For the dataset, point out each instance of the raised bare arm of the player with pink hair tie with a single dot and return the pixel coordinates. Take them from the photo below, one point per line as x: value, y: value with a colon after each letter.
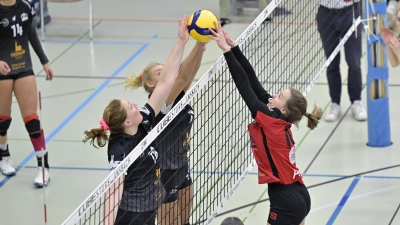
x: 170, y: 69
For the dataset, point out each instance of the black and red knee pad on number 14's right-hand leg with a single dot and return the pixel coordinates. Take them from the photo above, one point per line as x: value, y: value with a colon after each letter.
x: 32, y: 125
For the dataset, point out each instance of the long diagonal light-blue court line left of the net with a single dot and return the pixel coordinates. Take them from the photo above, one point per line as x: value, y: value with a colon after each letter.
x: 77, y: 110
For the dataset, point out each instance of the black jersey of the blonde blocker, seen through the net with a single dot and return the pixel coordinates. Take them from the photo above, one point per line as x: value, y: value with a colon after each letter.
x: 173, y: 141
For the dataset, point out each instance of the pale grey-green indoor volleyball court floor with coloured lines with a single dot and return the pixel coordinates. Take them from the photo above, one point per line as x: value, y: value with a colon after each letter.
x: 128, y: 35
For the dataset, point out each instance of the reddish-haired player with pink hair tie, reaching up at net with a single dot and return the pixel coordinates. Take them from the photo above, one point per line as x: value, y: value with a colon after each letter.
x: 138, y: 194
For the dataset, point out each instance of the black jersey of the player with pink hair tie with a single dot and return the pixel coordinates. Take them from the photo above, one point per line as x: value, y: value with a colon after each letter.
x: 143, y: 191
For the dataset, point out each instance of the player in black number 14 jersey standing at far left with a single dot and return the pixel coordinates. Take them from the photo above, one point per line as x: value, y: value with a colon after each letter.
x: 17, y: 30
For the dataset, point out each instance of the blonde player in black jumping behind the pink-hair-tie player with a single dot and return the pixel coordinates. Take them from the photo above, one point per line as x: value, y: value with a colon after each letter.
x: 173, y: 142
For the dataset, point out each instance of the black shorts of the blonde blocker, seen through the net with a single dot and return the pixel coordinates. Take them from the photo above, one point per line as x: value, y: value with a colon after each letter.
x: 175, y: 180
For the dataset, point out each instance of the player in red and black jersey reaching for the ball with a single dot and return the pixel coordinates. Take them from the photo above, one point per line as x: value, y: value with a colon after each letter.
x: 270, y: 135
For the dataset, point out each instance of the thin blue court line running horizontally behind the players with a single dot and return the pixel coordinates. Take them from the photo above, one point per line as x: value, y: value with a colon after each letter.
x: 206, y: 172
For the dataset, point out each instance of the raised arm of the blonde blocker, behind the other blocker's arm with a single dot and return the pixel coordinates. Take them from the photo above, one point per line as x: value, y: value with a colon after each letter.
x: 187, y: 72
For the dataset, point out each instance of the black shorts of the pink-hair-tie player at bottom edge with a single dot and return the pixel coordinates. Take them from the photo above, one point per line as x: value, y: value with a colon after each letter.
x: 135, y: 218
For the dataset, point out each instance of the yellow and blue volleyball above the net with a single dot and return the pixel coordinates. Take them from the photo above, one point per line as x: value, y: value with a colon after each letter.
x: 198, y: 25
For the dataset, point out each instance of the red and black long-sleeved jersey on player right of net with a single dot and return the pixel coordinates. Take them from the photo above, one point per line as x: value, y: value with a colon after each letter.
x: 271, y: 138
